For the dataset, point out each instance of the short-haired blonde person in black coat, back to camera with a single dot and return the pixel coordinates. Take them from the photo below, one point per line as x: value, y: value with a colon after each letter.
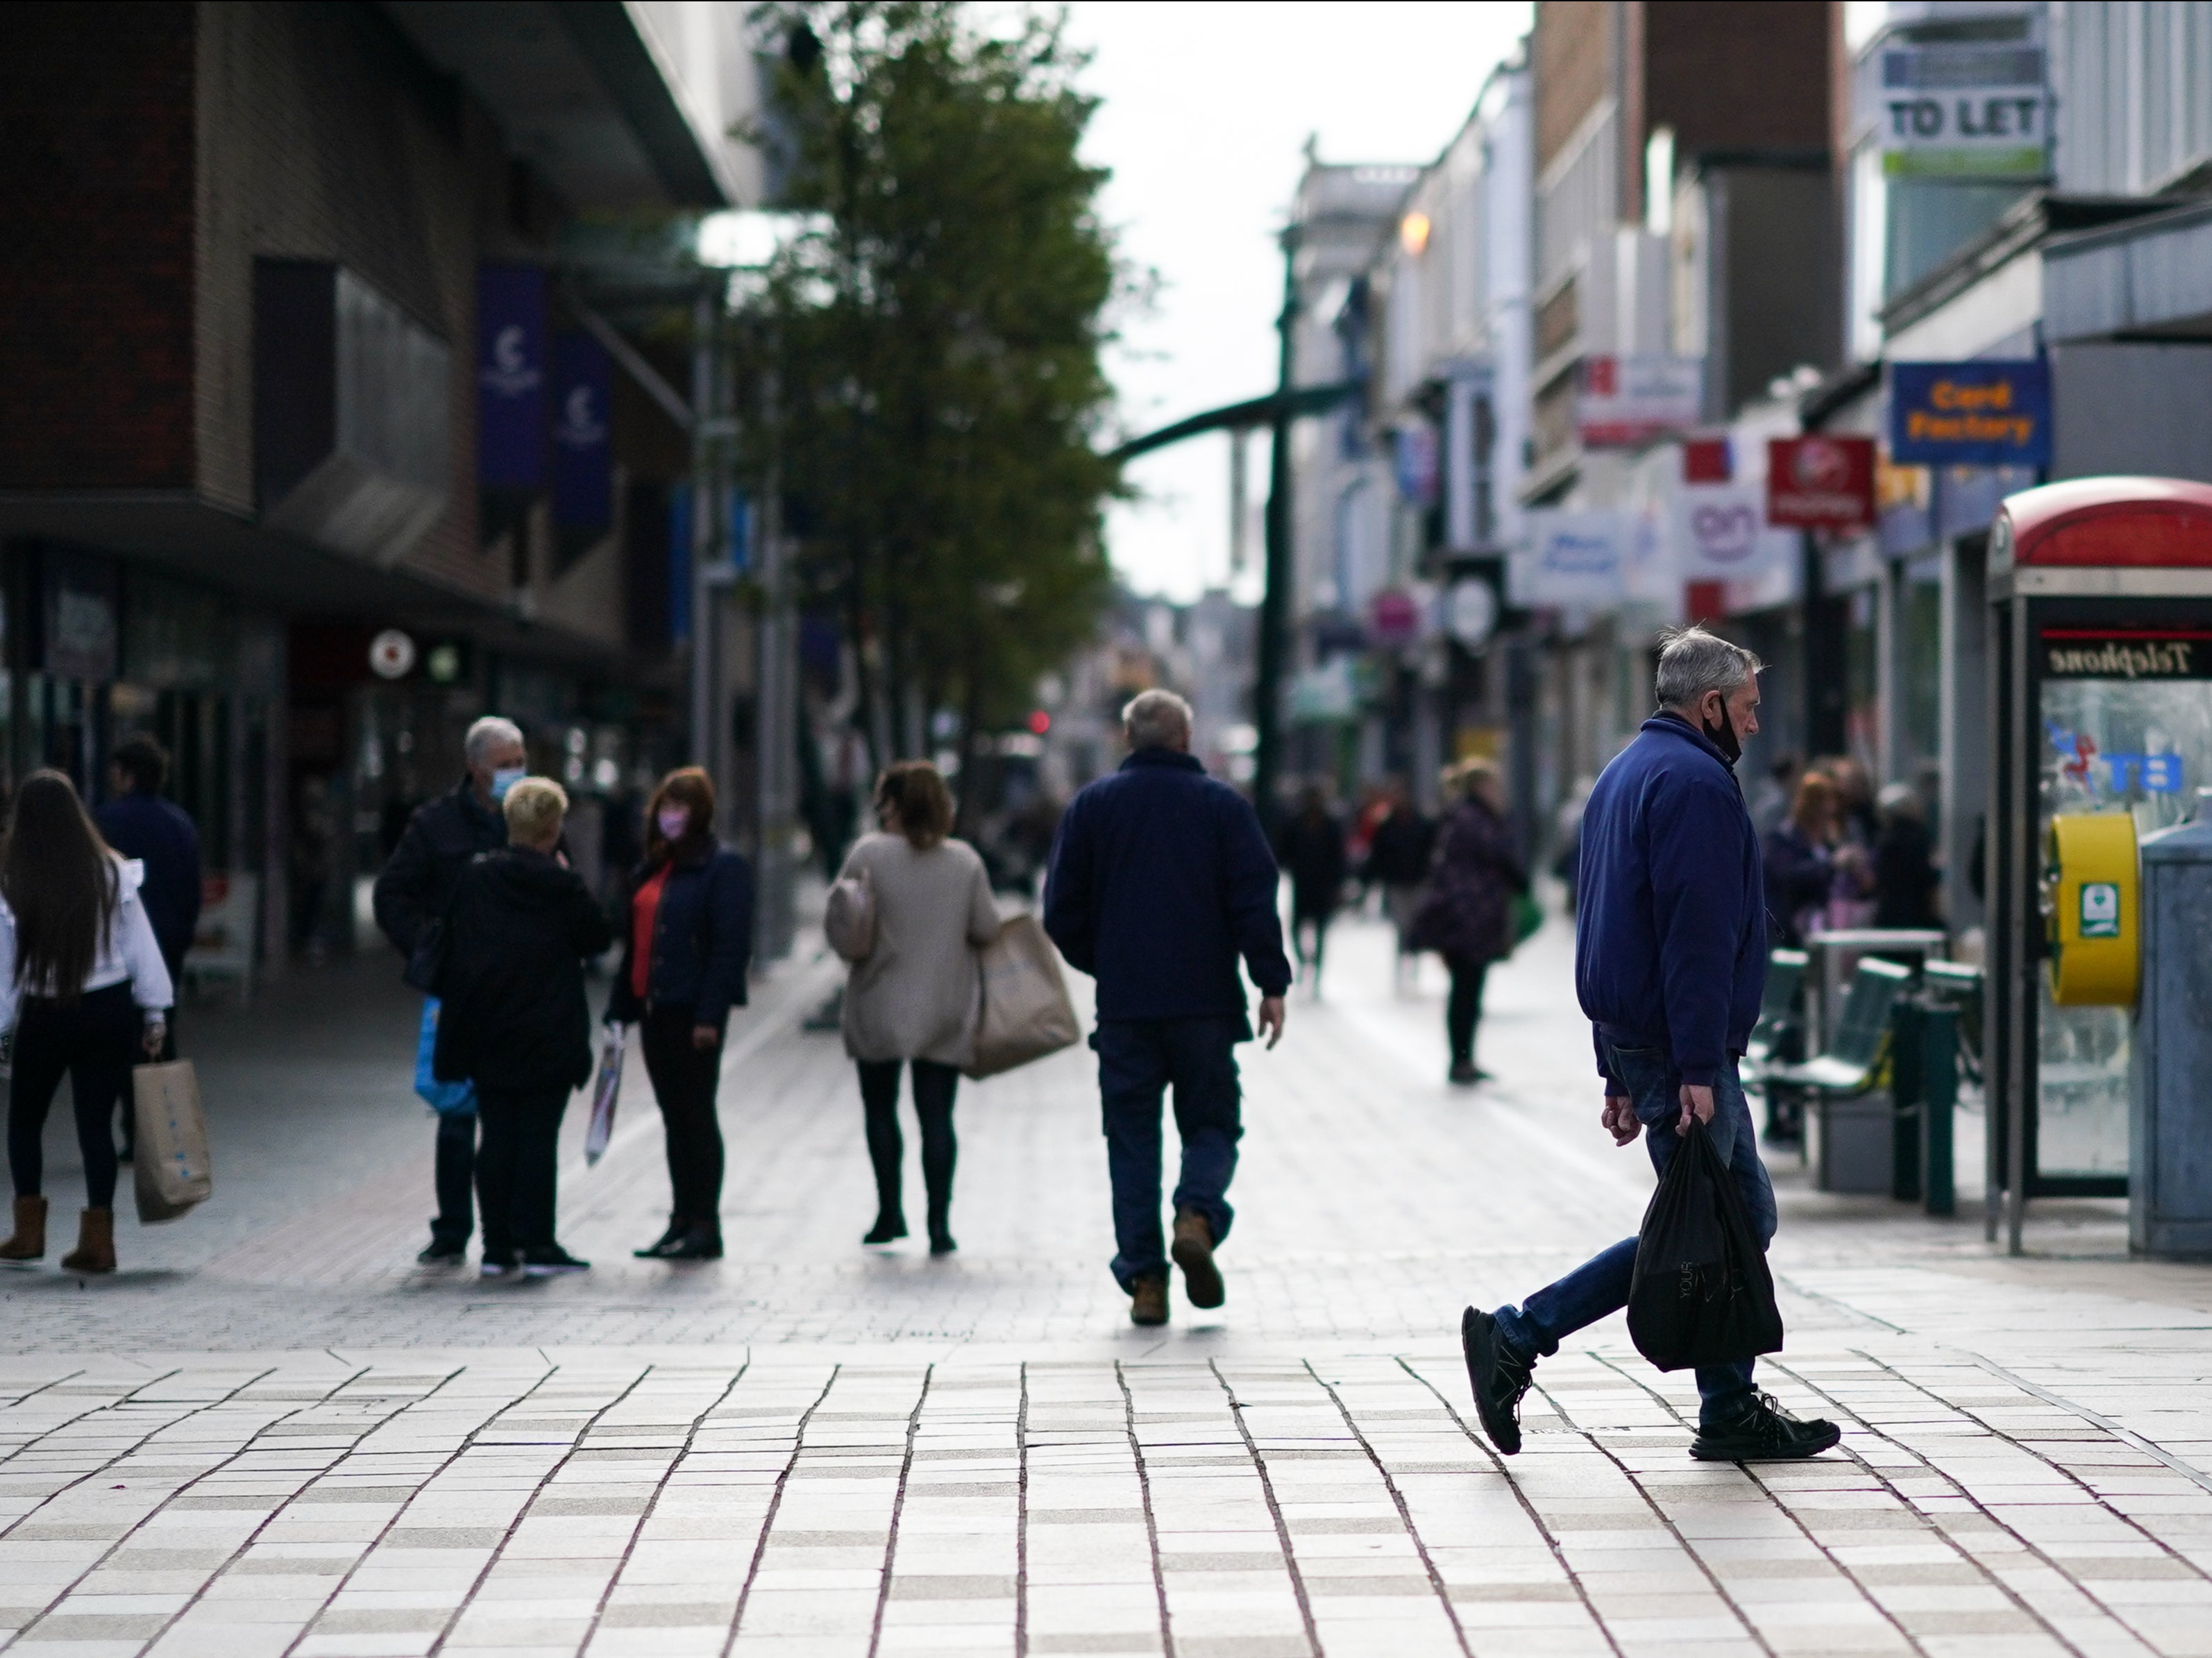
x: 517, y: 1025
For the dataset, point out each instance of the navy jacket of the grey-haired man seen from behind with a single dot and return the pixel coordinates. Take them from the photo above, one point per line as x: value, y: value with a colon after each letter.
x: 1160, y: 881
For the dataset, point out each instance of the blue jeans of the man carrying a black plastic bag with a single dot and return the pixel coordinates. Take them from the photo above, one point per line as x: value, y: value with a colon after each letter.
x: 1600, y: 1286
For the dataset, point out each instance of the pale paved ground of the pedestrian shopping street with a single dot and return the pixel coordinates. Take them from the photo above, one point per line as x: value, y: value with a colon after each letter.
x: 271, y: 1434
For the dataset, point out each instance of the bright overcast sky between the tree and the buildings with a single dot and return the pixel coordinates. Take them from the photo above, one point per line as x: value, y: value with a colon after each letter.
x: 1207, y: 112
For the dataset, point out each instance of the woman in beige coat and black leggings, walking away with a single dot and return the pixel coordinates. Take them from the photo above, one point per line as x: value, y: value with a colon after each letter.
x: 917, y: 994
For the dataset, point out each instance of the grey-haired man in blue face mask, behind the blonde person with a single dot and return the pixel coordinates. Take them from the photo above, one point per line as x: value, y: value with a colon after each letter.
x: 410, y: 894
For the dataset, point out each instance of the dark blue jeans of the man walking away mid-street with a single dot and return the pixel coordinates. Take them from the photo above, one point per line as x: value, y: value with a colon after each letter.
x: 1138, y: 1062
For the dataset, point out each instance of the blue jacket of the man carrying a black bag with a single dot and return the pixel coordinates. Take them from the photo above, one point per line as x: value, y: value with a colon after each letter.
x: 1671, y: 923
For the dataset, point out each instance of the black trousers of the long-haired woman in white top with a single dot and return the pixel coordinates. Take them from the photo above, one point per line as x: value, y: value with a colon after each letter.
x: 94, y: 1042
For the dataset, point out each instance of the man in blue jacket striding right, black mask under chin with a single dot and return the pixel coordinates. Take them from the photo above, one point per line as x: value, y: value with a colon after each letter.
x: 1671, y: 956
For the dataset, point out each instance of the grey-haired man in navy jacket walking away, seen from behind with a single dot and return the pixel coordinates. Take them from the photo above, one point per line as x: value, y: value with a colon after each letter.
x: 1158, y: 883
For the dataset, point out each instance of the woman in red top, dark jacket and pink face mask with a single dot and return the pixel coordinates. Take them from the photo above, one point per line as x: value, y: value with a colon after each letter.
x: 687, y: 943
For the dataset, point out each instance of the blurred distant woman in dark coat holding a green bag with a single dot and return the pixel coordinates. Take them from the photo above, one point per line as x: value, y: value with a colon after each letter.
x: 1468, y: 914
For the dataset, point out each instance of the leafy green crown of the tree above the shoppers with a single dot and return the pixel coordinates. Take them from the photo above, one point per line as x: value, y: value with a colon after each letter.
x: 928, y: 350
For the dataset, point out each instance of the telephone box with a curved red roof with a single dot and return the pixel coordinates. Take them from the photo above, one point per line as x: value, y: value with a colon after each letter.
x: 2100, y: 686
